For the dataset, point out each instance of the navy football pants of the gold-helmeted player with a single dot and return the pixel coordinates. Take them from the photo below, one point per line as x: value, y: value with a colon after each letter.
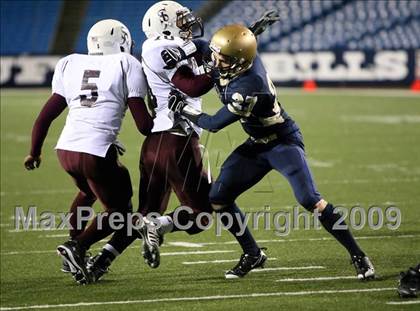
x: 250, y: 162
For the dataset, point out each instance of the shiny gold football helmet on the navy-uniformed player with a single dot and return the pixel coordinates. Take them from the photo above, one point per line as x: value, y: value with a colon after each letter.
x: 234, y: 48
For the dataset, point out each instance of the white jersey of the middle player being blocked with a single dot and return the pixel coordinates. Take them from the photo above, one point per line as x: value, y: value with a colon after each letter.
x: 159, y: 81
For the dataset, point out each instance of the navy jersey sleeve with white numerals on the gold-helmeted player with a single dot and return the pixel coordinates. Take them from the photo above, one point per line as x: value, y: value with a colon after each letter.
x: 243, y: 97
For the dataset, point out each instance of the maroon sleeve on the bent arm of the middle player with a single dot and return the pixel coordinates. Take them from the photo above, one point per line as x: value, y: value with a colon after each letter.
x: 193, y: 85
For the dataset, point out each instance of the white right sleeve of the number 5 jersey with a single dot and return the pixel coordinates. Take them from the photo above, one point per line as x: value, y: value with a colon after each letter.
x: 136, y: 81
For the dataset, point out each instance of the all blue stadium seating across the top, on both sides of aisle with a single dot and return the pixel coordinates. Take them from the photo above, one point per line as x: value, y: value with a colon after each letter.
x: 305, y: 25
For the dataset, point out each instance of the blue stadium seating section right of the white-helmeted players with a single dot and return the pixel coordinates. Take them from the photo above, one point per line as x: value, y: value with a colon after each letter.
x: 329, y: 24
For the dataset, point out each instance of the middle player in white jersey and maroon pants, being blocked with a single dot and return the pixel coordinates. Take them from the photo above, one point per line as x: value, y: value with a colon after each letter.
x: 170, y: 156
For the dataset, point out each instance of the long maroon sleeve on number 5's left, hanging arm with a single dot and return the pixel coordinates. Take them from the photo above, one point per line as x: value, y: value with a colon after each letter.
x: 51, y: 110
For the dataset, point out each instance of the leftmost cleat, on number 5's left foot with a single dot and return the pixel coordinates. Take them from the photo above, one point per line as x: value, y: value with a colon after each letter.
x: 74, y: 255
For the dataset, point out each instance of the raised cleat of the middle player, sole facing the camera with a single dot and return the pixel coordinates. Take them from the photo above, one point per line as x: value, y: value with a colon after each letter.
x: 151, y: 242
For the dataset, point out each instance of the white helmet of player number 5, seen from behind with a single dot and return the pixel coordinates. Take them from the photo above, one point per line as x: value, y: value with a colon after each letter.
x: 109, y: 36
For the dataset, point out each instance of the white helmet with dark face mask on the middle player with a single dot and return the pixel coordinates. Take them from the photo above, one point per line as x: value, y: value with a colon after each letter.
x: 169, y: 18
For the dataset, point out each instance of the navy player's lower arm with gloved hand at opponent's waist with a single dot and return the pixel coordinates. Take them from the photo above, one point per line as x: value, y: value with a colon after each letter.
x: 212, y: 123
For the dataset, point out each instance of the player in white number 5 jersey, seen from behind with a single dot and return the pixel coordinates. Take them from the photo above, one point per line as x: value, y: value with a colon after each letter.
x: 97, y: 89
